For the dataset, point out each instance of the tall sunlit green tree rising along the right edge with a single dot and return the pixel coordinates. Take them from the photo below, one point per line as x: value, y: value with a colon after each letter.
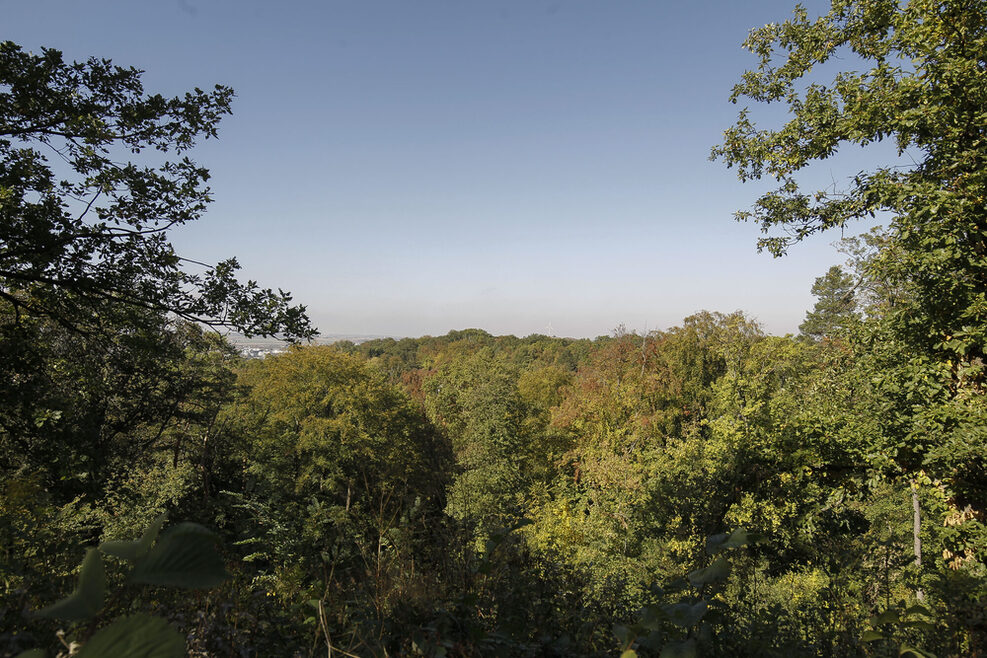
x: 914, y: 72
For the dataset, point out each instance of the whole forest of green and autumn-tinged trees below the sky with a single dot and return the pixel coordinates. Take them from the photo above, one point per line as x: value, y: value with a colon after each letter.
x: 705, y: 490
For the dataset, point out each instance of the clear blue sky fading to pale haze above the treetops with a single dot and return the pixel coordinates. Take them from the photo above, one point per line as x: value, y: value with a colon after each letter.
x: 408, y: 167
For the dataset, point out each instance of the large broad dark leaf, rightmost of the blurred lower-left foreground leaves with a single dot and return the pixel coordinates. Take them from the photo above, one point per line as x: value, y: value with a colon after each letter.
x: 185, y: 556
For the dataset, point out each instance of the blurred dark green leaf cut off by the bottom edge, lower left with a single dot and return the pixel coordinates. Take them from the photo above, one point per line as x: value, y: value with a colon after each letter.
x: 138, y: 636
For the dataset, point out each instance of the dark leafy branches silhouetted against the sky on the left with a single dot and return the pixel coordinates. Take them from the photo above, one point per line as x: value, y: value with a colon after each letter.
x: 86, y: 203
